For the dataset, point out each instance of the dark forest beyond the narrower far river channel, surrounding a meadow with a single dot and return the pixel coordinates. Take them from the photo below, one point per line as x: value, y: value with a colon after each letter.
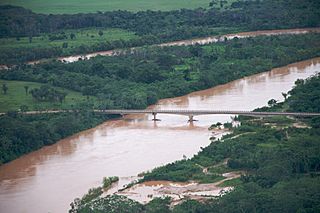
x: 150, y: 27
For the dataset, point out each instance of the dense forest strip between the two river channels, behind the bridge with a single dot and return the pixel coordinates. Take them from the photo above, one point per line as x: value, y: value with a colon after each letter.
x: 140, y: 79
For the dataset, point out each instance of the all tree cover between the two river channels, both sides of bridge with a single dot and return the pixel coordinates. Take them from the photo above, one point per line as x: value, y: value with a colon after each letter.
x: 138, y: 80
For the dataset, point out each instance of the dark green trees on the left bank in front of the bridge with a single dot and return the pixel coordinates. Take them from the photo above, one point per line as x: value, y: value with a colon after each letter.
x: 21, y: 134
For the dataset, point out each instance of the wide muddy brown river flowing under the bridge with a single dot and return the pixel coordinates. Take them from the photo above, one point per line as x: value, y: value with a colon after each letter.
x: 47, y: 180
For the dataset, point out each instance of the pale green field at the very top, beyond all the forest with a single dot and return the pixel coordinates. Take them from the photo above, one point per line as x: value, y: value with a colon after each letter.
x: 85, y: 6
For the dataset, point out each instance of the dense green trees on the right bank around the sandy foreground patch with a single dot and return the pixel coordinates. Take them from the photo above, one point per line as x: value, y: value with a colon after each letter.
x: 281, y: 164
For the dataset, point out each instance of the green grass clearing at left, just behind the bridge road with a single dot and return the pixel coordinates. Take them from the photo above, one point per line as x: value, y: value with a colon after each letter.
x: 16, y: 97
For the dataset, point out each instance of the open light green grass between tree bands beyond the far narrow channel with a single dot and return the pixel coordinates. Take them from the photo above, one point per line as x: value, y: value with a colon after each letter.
x: 86, y: 37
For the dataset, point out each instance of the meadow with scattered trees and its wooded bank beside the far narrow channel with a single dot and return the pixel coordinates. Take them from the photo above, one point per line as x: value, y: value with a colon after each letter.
x: 66, y: 42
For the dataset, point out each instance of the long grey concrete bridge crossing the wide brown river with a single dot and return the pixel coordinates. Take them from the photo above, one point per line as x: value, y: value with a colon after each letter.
x: 189, y: 113
